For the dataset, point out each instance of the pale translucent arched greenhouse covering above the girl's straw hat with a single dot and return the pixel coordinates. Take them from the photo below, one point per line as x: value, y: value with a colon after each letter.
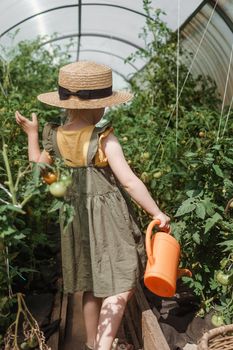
x: 108, y: 29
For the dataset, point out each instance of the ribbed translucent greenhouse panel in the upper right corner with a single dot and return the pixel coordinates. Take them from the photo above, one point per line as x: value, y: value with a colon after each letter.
x: 209, y: 37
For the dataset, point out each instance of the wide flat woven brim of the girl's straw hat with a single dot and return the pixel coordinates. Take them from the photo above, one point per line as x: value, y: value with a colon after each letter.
x: 117, y: 97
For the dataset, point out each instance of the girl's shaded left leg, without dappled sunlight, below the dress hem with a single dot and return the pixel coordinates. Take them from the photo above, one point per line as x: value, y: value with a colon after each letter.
x: 91, y: 311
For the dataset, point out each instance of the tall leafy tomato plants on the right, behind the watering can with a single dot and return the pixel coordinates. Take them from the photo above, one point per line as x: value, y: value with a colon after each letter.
x: 189, y: 168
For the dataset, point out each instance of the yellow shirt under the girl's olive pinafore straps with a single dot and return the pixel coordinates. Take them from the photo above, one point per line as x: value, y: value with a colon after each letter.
x: 73, y: 146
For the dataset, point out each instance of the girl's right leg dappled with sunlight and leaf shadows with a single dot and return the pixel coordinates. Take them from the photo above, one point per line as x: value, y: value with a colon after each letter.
x: 111, y: 314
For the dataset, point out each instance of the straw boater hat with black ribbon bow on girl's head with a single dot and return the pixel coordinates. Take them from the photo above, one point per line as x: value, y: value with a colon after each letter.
x: 85, y: 84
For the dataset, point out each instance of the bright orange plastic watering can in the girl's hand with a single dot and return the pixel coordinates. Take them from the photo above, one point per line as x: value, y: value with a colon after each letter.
x: 163, y: 252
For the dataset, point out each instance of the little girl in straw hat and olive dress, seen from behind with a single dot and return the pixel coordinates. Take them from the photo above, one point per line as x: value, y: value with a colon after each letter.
x: 102, y: 252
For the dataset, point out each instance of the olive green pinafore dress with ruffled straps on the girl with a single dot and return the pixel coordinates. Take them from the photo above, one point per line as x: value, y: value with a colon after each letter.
x: 103, y: 248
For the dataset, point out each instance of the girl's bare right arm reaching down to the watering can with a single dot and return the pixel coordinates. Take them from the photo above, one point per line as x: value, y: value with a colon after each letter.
x: 133, y: 185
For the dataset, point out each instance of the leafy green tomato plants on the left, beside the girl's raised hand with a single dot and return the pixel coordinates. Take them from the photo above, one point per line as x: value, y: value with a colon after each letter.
x: 23, y: 220
